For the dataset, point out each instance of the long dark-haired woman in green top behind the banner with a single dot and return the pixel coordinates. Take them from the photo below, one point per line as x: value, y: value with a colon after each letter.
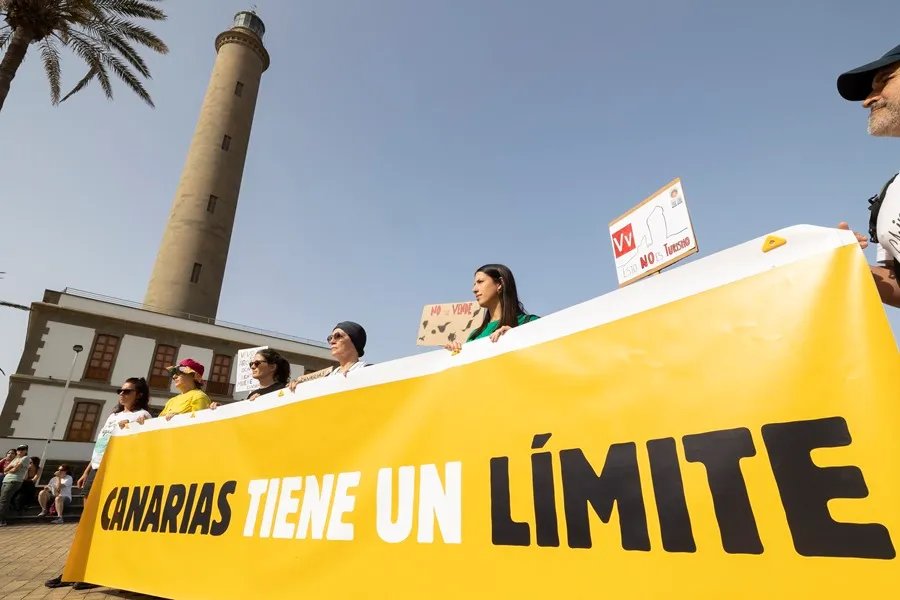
x: 495, y: 291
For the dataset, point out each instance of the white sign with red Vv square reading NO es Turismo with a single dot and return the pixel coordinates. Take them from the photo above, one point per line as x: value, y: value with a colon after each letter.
x: 654, y: 234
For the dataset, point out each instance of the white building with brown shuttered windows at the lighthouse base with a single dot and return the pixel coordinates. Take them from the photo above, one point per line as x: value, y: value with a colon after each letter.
x: 120, y: 339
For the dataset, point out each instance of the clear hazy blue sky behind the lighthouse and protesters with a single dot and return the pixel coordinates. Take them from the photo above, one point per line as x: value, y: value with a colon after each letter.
x: 399, y: 144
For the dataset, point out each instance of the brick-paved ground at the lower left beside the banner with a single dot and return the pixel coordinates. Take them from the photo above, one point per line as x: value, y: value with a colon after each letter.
x: 31, y: 554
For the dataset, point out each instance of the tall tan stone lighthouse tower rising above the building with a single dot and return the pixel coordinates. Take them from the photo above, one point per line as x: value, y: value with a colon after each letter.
x: 187, y: 276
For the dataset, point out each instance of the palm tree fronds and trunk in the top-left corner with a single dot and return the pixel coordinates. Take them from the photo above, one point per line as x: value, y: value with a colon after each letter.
x: 100, y: 32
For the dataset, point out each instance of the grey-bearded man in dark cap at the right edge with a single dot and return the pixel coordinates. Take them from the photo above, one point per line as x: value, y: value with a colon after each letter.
x: 877, y: 86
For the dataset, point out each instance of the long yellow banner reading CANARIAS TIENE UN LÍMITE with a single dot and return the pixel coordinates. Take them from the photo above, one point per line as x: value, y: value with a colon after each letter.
x: 737, y: 442
